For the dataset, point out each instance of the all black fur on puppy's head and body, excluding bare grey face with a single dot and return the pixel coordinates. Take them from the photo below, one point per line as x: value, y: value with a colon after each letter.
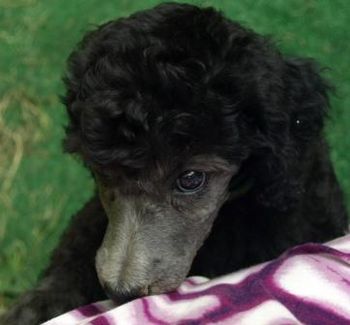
x: 177, y: 81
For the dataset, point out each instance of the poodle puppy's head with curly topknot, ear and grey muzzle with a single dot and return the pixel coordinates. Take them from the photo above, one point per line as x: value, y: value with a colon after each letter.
x: 167, y: 108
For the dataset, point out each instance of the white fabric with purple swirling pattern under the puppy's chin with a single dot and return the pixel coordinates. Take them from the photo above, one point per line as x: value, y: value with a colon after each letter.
x: 309, y: 284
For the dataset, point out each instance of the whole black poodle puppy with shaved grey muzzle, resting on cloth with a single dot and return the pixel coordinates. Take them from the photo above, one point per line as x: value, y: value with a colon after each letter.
x: 207, y: 148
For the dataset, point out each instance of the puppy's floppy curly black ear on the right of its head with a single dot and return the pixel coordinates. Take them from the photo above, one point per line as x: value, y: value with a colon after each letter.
x: 293, y: 132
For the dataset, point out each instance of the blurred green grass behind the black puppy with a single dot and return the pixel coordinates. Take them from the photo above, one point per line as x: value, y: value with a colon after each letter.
x: 40, y: 187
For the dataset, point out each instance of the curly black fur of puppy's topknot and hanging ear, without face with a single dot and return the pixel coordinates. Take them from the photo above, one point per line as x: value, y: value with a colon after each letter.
x: 163, y: 78
